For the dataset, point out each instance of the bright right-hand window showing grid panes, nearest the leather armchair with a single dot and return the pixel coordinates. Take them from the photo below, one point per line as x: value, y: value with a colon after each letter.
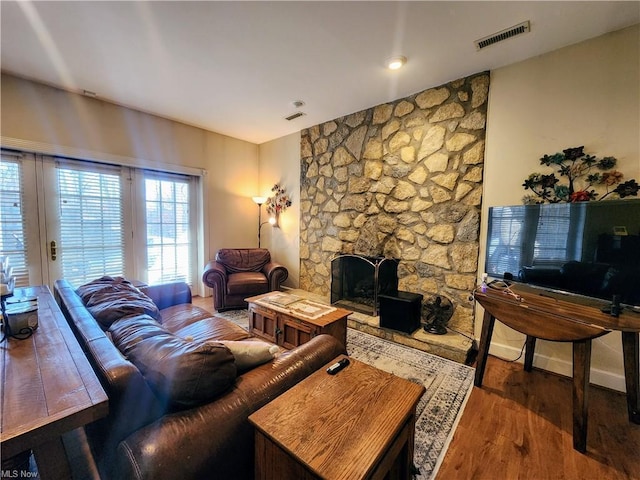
x: 168, y: 218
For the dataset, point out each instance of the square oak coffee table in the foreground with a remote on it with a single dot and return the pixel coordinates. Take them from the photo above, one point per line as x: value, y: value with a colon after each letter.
x: 356, y: 424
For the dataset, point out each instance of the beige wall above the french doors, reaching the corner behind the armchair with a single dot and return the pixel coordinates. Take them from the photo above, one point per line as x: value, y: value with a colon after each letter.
x: 48, y: 120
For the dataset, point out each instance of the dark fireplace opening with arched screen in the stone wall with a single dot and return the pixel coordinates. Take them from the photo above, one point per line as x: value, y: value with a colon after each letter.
x: 357, y: 281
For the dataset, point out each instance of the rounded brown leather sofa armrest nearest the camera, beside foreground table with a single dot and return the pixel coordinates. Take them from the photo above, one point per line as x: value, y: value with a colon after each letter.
x: 217, y: 437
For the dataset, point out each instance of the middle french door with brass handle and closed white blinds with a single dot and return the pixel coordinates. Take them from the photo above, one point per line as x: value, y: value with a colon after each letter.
x: 85, y: 221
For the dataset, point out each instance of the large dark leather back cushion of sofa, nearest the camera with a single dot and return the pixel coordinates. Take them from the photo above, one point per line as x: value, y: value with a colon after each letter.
x: 183, y: 373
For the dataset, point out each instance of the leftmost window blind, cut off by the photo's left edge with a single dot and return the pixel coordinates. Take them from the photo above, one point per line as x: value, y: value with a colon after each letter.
x: 13, y: 241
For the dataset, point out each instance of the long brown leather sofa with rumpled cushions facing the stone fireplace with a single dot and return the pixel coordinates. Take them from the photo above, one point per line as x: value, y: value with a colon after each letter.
x: 145, y: 436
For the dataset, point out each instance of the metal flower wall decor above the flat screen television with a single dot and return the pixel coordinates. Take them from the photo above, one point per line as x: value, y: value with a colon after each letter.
x: 583, y: 173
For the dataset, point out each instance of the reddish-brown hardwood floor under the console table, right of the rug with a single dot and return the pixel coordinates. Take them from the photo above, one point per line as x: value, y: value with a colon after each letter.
x: 519, y: 426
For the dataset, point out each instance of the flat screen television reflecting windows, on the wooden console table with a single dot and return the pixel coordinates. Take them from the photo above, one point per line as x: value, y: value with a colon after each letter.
x: 590, y: 249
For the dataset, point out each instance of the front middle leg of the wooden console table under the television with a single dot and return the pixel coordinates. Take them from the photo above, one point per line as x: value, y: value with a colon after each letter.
x: 581, y: 367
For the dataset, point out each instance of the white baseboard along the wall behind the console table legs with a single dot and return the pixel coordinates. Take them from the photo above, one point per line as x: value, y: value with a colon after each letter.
x: 603, y: 378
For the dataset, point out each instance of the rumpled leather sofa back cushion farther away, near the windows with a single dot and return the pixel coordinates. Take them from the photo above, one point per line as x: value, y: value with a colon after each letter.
x: 109, y: 299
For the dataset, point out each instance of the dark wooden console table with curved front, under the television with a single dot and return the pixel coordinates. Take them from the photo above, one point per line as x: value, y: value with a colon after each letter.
x: 557, y: 318
